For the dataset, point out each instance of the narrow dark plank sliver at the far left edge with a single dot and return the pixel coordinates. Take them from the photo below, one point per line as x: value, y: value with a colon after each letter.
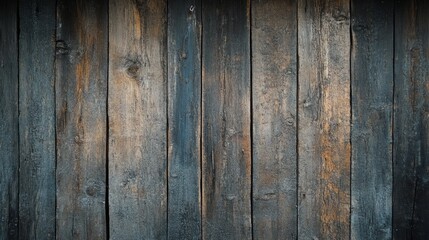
x: 9, y: 131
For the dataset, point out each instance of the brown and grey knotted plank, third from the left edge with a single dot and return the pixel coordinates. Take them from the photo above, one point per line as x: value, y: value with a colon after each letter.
x: 81, y: 88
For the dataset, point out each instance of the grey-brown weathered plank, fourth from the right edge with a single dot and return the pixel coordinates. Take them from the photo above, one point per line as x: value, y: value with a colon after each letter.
x: 274, y: 73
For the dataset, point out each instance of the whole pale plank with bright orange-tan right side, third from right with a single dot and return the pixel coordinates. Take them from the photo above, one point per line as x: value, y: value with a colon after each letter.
x: 324, y: 119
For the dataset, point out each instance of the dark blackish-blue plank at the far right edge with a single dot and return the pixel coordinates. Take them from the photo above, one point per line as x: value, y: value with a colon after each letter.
x: 411, y: 121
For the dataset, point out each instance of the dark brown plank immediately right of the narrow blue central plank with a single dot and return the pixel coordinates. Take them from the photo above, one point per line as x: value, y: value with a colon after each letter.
x: 226, y: 172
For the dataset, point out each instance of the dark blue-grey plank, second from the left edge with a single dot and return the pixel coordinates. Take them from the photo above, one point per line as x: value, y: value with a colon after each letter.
x: 37, y: 119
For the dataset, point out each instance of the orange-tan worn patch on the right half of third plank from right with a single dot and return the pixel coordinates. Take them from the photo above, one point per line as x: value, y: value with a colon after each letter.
x: 335, y: 169
